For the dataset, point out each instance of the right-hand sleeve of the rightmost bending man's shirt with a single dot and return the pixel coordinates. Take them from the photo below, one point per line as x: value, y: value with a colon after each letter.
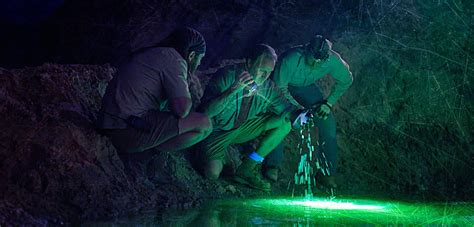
x: 342, y: 76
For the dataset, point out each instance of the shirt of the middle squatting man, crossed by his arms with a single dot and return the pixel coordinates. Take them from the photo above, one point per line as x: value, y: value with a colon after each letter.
x: 267, y: 98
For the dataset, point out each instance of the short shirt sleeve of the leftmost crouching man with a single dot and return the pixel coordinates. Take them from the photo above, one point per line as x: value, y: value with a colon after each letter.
x: 175, y: 80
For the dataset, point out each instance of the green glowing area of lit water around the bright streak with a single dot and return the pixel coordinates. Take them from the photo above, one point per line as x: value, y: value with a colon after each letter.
x: 353, y: 211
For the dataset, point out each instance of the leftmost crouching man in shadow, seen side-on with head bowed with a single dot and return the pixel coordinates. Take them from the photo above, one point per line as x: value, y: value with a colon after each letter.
x: 147, y: 104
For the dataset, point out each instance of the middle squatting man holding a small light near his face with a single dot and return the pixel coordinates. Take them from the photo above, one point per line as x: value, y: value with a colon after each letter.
x: 243, y: 105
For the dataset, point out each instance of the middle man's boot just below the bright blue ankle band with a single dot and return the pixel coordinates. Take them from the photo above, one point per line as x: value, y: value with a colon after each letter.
x: 249, y: 174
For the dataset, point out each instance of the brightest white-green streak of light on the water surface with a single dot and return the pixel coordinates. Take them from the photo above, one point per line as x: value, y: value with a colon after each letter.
x: 335, y: 205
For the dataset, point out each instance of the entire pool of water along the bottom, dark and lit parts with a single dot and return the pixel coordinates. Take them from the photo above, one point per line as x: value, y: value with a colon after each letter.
x: 301, y: 212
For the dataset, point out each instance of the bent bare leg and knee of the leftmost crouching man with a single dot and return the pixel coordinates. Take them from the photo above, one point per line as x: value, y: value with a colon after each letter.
x: 192, y: 129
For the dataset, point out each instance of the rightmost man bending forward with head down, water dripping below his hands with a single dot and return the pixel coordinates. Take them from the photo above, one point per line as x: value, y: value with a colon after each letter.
x: 296, y: 74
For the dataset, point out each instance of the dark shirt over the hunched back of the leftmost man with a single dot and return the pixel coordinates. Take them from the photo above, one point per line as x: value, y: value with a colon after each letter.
x: 145, y: 82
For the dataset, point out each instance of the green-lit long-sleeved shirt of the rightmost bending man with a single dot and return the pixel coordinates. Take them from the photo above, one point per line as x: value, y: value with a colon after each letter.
x: 292, y: 70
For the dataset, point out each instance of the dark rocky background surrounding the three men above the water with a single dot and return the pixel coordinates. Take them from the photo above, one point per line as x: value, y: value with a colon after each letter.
x: 405, y: 127
